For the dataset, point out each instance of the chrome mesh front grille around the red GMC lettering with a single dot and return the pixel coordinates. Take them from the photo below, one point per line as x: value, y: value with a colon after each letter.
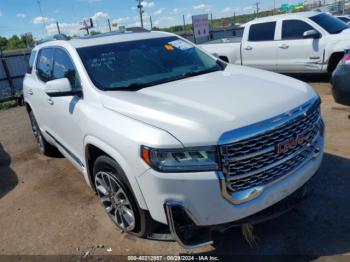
x: 255, y: 161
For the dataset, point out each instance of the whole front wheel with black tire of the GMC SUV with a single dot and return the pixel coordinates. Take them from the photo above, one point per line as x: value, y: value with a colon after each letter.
x: 118, y: 199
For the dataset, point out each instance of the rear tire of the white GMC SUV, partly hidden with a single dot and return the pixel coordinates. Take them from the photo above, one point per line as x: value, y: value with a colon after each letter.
x: 45, y: 147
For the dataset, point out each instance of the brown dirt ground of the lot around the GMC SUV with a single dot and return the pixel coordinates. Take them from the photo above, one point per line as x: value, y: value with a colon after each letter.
x: 47, y: 208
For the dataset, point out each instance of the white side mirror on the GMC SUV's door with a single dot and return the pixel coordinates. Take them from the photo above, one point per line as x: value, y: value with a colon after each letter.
x: 60, y: 87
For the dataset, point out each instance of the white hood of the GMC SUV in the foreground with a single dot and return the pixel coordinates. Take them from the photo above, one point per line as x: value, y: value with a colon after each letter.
x: 198, y: 110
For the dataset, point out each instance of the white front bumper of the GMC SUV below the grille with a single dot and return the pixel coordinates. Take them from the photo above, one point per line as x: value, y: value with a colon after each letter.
x: 201, y: 196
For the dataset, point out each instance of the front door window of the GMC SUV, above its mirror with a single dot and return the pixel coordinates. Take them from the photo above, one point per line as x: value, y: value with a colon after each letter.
x: 64, y: 68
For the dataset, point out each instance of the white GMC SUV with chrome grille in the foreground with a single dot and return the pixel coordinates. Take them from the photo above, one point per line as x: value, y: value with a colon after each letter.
x: 168, y: 135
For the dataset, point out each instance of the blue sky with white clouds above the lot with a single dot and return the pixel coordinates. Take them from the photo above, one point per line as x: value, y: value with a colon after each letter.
x: 21, y: 16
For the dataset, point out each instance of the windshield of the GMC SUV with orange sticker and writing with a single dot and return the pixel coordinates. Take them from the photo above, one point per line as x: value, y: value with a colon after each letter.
x: 137, y: 64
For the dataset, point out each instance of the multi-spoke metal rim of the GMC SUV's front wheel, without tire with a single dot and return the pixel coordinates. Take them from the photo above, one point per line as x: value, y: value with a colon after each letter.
x: 115, y: 200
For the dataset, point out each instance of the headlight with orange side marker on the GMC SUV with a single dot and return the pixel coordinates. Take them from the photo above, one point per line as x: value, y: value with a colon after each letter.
x: 181, y: 160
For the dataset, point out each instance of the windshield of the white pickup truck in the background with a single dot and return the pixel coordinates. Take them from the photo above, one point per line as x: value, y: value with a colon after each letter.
x: 330, y: 23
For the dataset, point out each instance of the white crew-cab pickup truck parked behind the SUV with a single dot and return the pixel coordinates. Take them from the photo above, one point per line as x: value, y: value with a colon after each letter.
x: 307, y: 42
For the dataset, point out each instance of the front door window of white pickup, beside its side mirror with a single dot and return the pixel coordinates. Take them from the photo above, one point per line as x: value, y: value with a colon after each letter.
x: 294, y: 29
